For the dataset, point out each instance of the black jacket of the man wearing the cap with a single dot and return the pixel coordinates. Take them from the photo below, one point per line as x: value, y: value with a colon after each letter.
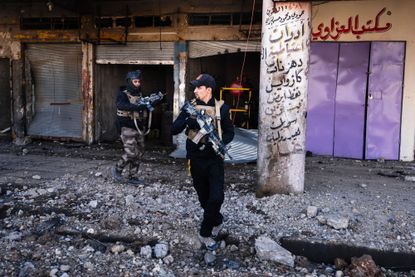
x: 192, y: 149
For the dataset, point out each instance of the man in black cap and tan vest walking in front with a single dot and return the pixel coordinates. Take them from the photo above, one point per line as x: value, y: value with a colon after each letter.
x: 206, y: 166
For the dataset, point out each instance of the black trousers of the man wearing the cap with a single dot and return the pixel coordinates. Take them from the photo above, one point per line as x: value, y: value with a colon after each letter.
x: 208, y: 180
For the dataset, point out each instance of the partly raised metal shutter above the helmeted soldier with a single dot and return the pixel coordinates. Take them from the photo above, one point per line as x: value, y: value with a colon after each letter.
x: 136, y: 53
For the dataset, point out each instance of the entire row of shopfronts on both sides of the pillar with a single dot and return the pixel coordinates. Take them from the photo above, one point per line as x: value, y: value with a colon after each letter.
x: 61, y: 63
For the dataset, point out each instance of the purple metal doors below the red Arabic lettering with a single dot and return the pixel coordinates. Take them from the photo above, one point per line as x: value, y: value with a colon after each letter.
x: 355, y: 99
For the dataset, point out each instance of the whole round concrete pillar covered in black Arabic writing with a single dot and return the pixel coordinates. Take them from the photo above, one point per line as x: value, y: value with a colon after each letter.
x: 283, y: 97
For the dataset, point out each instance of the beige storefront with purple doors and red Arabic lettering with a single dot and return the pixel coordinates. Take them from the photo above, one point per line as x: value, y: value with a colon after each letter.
x: 359, y: 101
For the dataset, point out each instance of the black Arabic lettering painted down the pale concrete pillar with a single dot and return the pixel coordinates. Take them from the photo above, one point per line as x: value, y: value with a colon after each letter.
x: 284, y: 69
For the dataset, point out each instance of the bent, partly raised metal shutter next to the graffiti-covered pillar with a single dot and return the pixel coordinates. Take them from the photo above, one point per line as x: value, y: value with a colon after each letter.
x: 199, y: 49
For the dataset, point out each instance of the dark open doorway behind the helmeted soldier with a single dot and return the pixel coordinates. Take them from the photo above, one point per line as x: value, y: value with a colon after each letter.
x: 110, y: 77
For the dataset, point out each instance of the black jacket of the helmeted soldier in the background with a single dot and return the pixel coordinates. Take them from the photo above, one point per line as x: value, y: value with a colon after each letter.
x: 124, y: 104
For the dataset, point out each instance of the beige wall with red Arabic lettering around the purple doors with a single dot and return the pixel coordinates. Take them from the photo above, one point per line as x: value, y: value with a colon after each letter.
x: 402, y: 29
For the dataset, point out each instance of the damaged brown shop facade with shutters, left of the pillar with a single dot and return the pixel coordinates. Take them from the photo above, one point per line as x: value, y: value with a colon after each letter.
x: 67, y: 59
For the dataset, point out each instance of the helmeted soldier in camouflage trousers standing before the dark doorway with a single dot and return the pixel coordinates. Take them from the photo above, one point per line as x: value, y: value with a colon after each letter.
x: 131, y: 119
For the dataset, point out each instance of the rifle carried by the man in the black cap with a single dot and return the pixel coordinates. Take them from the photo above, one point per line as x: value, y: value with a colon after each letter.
x: 207, y: 128
